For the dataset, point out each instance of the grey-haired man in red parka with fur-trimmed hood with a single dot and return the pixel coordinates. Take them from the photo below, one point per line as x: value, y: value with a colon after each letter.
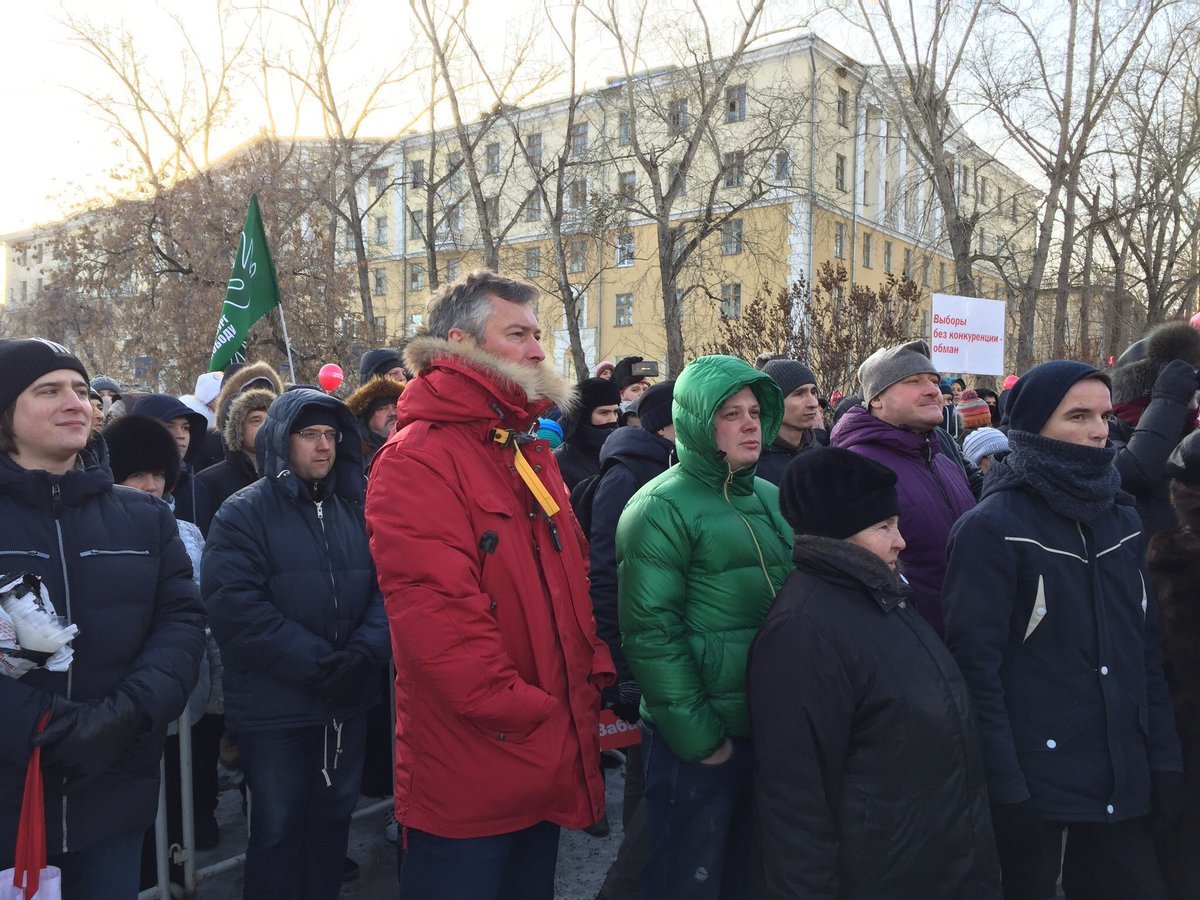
x: 484, y: 575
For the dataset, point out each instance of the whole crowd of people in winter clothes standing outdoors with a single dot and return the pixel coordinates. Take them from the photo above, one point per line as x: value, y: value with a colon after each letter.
x: 926, y: 641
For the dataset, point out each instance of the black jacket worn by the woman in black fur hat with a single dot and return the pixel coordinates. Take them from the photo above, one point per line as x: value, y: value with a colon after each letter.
x: 869, y: 779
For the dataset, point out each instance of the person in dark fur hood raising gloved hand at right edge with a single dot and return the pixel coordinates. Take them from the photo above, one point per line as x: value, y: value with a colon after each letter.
x: 1154, y: 400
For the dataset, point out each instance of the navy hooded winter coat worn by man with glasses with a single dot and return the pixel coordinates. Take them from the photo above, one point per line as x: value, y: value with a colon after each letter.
x: 289, y: 579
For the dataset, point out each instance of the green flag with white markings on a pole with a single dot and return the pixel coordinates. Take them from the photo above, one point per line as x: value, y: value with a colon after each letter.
x: 253, y: 292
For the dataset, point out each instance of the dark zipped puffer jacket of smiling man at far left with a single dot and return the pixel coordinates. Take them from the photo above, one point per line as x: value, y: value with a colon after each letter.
x: 113, y: 563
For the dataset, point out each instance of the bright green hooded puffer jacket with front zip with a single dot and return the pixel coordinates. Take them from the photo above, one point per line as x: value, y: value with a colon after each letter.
x: 701, y: 551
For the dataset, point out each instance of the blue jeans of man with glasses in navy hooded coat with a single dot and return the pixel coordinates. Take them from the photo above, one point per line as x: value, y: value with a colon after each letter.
x: 298, y: 824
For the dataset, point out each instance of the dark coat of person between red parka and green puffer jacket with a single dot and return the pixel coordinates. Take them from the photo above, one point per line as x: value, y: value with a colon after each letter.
x: 629, y: 459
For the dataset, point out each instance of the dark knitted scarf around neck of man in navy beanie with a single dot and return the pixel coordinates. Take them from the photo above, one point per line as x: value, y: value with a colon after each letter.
x: 1076, y: 482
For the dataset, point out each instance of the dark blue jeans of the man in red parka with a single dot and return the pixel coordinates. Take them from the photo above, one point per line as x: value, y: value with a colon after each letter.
x: 502, y: 867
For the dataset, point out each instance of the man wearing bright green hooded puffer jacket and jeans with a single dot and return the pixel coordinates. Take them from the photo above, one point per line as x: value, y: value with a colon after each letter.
x: 701, y: 551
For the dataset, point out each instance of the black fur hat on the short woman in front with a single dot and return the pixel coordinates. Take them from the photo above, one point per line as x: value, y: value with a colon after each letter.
x: 832, y: 493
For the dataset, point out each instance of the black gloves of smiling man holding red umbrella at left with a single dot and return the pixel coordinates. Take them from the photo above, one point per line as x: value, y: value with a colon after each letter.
x: 86, y: 740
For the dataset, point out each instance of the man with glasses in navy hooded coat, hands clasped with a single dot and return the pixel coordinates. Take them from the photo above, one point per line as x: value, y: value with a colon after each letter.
x: 295, y: 607
